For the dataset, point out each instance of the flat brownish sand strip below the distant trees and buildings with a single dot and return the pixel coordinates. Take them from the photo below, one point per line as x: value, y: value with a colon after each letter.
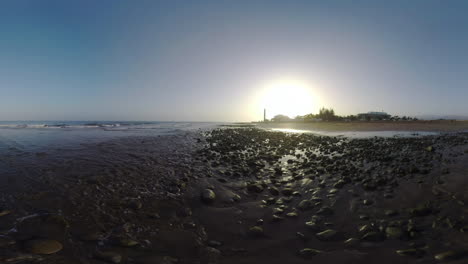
x: 429, y: 126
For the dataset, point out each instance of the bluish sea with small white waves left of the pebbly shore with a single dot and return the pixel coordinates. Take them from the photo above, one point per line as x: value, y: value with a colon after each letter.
x: 33, y: 136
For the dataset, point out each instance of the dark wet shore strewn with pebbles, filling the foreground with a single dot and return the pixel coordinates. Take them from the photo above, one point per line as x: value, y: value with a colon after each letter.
x: 239, y: 195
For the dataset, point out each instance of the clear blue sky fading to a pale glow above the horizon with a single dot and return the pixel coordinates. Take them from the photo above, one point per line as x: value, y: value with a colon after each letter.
x: 218, y: 60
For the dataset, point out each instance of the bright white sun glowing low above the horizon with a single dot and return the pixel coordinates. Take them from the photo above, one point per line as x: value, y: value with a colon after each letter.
x: 288, y: 97
